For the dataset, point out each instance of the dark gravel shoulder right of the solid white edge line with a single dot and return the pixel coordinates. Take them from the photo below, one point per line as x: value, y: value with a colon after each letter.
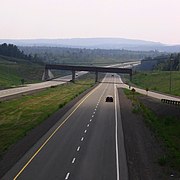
x: 142, y: 148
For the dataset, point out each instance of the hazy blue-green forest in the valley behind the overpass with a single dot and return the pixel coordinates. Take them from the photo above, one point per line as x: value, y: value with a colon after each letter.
x: 84, y: 56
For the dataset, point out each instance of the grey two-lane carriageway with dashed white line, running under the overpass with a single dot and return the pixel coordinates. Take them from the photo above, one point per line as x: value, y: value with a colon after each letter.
x: 87, y: 143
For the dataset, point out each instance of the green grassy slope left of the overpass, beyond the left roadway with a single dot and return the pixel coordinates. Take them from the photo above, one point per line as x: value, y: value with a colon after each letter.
x: 12, y: 70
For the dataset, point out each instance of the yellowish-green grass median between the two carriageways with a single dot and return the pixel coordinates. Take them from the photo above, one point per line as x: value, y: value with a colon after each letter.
x: 19, y: 116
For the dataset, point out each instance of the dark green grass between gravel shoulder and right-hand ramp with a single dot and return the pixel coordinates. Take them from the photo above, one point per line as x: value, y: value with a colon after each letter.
x: 167, y: 129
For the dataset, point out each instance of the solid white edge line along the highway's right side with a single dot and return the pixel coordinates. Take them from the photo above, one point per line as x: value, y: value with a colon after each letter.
x: 116, y: 135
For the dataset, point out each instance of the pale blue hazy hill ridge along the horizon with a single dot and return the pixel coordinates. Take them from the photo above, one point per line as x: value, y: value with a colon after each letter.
x: 97, y: 43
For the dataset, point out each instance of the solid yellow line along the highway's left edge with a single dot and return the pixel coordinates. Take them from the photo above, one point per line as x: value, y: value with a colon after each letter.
x: 47, y: 140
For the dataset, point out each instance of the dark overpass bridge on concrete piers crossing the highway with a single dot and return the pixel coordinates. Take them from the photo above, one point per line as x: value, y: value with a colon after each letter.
x: 95, y: 69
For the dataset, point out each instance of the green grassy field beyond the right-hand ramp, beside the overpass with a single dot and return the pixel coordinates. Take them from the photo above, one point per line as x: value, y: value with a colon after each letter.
x: 158, y: 81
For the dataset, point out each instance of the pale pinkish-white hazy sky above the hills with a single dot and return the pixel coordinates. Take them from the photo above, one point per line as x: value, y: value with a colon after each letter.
x: 156, y: 20
